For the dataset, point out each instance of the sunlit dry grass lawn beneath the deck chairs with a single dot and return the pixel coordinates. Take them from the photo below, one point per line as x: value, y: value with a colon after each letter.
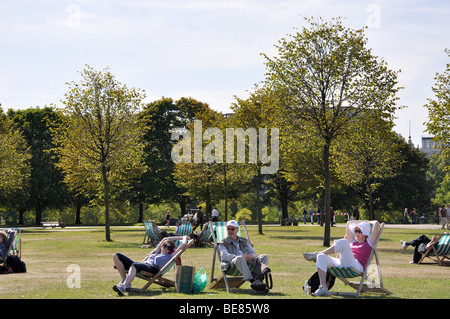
x: 51, y: 253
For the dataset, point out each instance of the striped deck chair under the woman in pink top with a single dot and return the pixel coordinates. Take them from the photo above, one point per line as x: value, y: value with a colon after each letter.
x: 371, y: 280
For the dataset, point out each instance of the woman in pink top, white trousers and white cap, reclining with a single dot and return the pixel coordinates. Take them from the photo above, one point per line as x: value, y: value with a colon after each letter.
x: 351, y: 254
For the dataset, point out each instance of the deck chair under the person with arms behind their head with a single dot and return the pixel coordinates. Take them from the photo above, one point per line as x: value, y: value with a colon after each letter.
x: 158, y: 278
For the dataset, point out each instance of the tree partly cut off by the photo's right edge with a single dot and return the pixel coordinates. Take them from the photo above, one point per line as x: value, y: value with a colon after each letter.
x: 439, y: 111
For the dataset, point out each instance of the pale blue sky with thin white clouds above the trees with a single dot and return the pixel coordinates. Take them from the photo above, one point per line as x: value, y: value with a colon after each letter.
x: 206, y: 49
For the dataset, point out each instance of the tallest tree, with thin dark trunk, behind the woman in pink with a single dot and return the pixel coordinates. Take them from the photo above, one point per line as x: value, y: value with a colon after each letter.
x: 329, y: 78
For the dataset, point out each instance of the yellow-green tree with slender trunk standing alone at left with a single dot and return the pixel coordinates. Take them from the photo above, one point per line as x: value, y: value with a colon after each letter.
x: 99, y: 139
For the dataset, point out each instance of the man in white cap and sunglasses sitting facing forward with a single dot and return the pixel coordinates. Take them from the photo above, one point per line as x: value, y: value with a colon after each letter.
x: 237, y: 251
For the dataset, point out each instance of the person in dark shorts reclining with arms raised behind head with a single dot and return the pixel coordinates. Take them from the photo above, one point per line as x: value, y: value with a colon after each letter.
x: 152, y: 263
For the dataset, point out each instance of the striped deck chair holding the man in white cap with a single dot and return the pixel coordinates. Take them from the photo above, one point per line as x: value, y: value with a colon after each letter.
x: 232, y: 278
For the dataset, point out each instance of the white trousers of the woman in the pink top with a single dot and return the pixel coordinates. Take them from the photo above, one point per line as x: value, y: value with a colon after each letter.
x: 345, y: 259
